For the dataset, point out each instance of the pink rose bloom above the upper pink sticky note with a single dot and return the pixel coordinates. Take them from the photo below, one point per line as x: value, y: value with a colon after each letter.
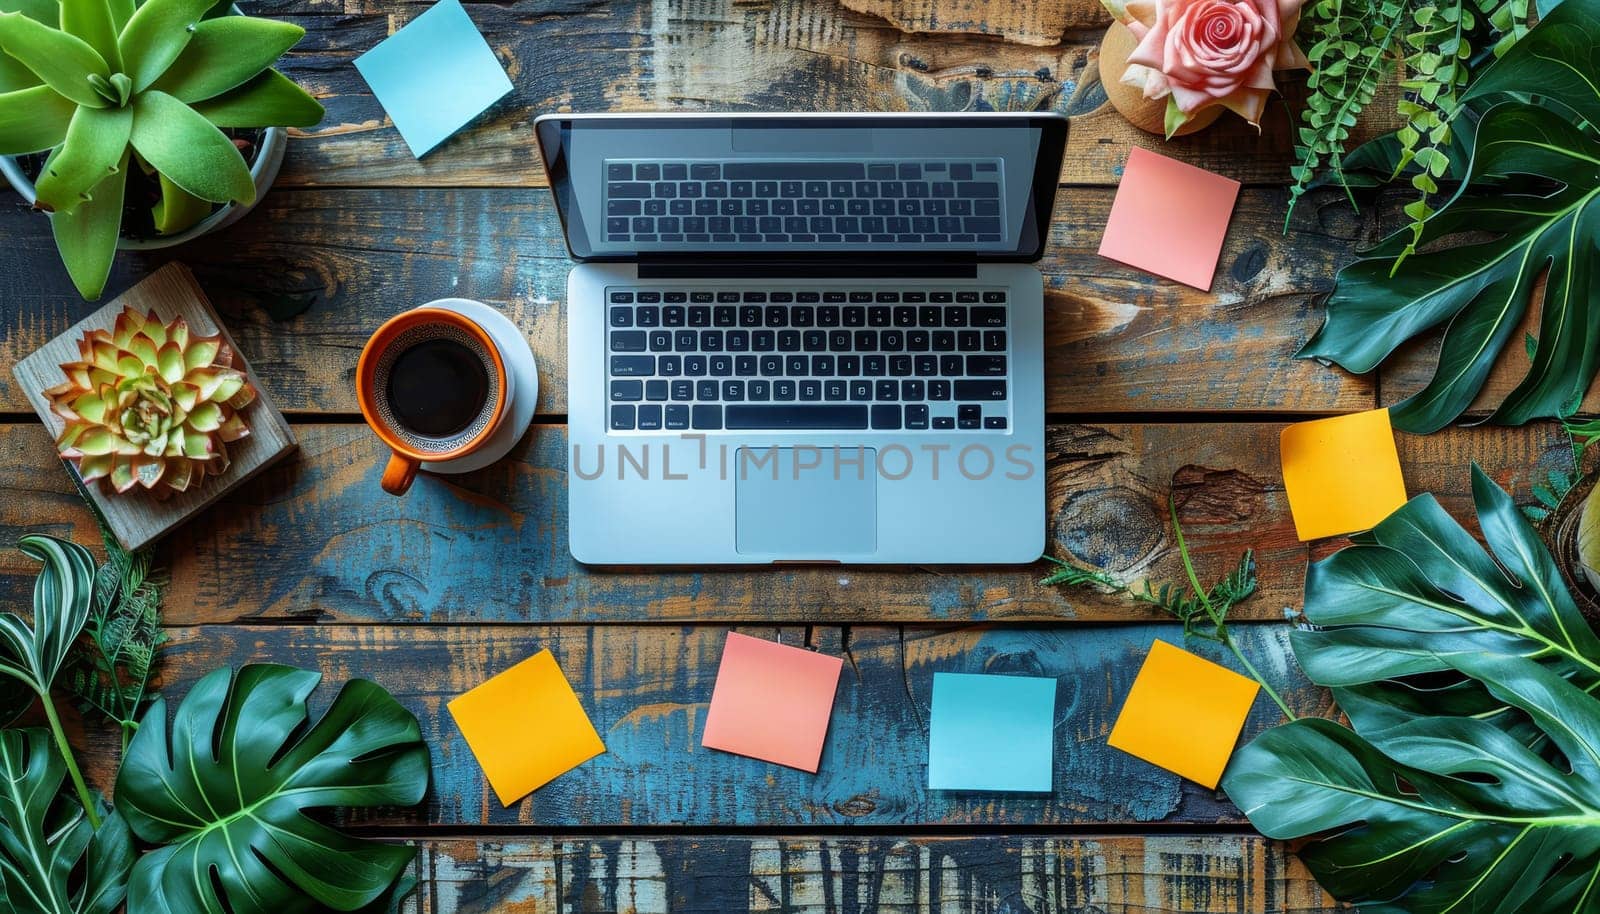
x: 1212, y: 52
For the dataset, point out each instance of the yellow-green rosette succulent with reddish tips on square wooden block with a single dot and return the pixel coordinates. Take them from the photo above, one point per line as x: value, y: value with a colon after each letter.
x: 151, y: 404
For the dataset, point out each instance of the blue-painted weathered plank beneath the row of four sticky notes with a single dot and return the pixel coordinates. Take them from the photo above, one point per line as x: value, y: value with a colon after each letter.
x: 647, y: 691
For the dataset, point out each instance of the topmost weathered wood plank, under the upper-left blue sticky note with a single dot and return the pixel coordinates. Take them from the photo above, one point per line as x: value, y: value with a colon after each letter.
x: 722, y: 55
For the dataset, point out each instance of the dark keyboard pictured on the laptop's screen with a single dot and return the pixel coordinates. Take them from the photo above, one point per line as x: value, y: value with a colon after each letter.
x: 804, y: 202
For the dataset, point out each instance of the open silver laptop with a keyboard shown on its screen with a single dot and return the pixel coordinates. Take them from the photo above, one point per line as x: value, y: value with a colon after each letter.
x: 806, y: 339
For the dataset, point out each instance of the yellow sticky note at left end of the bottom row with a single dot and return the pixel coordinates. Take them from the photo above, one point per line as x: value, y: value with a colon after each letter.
x: 526, y: 728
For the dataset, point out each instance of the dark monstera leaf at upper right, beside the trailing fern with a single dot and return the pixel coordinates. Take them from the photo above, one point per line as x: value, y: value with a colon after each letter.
x: 1534, y: 185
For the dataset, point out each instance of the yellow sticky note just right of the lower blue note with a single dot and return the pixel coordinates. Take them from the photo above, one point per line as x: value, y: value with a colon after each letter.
x: 1185, y: 715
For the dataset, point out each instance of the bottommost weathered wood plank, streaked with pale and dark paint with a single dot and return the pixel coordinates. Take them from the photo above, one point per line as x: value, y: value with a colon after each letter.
x: 1137, y: 875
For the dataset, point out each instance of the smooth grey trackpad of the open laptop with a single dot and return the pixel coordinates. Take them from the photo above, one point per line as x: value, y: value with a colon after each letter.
x: 802, y: 503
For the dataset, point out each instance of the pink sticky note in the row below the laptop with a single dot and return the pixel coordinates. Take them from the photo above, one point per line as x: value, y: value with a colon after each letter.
x: 772, y: 702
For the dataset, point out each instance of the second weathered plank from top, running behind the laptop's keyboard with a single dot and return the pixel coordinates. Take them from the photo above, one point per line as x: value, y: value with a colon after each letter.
x: 1118, y: 340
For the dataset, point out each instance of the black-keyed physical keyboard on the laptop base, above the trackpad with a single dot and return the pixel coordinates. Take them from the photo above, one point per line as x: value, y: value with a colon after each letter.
x: 807, y: 359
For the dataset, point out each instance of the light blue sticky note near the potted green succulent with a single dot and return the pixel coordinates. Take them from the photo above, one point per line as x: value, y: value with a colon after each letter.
x: 434, y: 76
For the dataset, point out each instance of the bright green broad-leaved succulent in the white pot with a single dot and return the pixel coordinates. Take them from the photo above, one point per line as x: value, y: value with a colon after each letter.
x: 108, y: 84
